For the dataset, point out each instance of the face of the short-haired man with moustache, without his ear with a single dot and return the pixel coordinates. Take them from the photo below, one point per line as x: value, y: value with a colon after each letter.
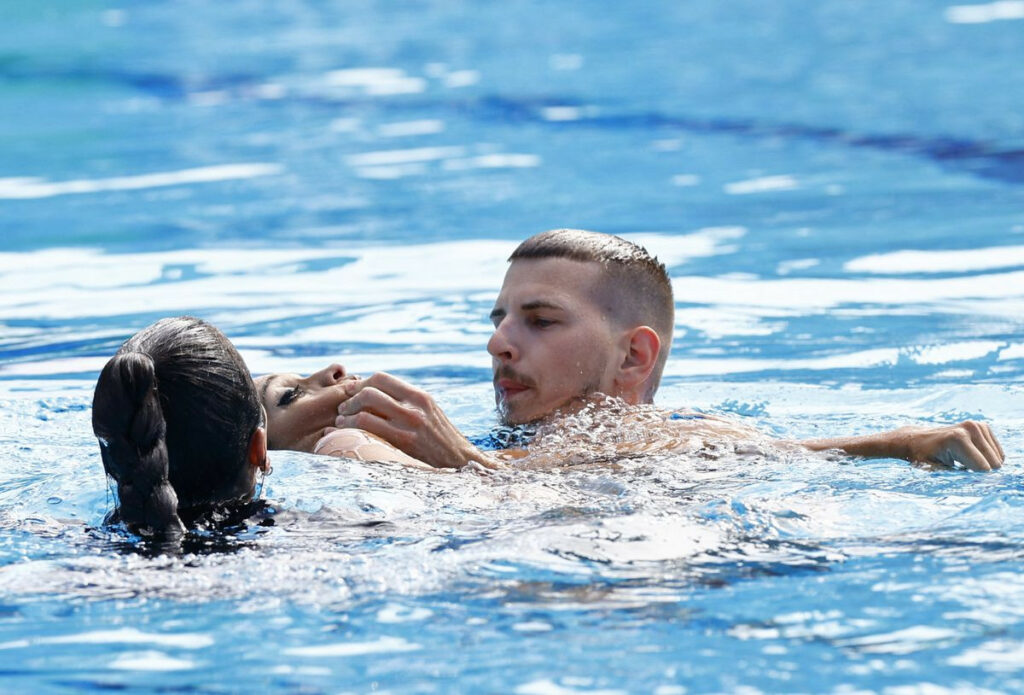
x: 552, y: 343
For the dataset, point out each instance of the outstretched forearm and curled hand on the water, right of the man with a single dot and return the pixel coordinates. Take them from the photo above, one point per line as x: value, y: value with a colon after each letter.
x: 970, y: 444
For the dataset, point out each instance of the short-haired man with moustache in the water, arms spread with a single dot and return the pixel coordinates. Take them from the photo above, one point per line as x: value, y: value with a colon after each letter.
x: 582, y: 315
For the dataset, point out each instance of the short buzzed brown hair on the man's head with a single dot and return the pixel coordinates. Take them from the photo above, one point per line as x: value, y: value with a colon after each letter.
x: 636, y: 291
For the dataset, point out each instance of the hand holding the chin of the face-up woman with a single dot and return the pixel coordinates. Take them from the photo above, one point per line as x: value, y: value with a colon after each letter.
x: 409, y: 419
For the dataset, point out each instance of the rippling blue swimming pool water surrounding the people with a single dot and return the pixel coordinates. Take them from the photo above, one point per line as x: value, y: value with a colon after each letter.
x: 836, y: 188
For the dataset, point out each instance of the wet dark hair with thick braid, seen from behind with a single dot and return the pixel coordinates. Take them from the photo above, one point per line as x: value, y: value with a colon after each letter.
x: 176, y: 411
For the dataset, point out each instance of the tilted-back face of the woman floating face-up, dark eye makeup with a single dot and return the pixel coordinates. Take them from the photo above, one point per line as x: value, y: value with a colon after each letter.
x: 298, y: 409
